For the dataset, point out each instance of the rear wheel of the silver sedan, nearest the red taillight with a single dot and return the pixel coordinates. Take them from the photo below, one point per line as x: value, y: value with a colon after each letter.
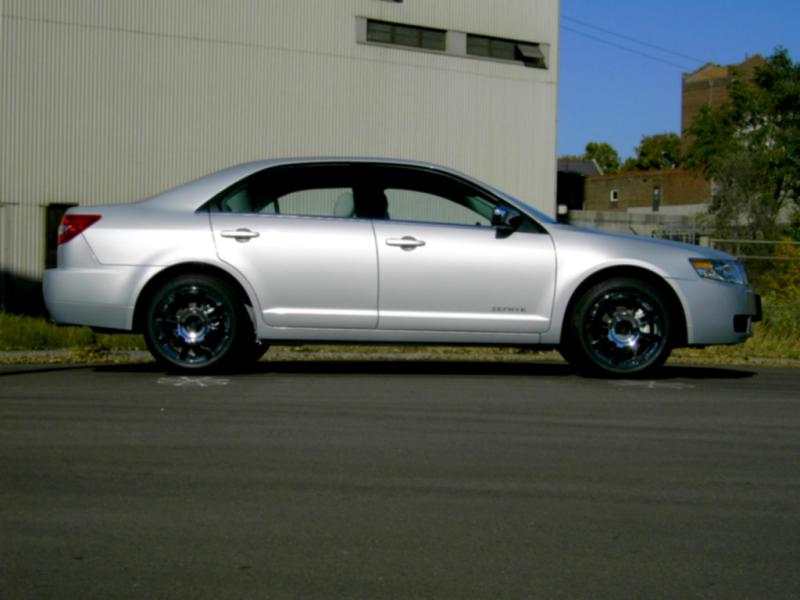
x: 195, y: 323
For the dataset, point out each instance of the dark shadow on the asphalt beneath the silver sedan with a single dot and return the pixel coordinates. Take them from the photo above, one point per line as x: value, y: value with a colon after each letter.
x: 428, y: 367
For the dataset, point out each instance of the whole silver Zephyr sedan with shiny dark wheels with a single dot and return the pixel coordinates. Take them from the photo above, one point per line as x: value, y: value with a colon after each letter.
x: 372, y: 250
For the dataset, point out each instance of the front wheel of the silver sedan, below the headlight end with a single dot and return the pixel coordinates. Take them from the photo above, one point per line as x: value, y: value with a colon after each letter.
x: 619, y: 327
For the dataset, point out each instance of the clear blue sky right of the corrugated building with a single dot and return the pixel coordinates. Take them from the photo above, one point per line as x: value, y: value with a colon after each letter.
x: 611, y: 95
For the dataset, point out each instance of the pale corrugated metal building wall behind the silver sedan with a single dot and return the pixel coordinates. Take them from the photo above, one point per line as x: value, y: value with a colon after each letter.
x: 110, y: 100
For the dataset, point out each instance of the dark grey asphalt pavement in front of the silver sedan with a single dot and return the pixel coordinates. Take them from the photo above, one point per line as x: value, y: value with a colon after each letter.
x: 399, y: 480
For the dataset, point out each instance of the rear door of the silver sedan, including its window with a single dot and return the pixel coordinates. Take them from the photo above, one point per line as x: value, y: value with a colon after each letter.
x: 308, y: 267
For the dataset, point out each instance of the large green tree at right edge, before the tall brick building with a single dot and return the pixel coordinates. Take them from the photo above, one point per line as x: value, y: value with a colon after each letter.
x: 750, y: 148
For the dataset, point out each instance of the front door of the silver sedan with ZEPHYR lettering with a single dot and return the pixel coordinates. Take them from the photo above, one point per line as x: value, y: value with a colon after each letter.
x: 444, y: 267
